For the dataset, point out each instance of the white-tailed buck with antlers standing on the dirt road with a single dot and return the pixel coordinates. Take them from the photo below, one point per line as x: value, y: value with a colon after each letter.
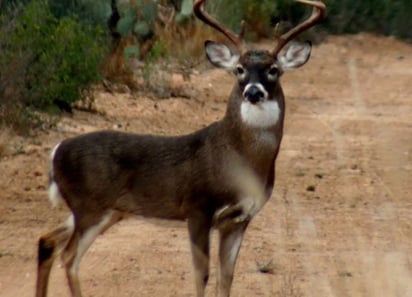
x: 218, y: 177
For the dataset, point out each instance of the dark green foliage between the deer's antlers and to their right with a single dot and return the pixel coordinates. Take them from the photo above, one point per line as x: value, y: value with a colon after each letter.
x: 389, y: 17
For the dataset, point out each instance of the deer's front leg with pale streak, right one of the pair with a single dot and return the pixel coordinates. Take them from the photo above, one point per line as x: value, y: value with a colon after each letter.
x: 230, y: 240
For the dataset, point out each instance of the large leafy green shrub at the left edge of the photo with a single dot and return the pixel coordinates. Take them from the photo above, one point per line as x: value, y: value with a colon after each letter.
x: 44, y: 58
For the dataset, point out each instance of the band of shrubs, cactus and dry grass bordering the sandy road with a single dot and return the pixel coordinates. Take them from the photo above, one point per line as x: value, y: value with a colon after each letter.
x: 52, y: 52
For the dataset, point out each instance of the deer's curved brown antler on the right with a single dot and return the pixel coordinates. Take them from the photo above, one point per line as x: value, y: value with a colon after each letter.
x: 318, y: 14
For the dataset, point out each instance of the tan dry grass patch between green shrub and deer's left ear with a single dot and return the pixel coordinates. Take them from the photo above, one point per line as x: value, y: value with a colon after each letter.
x: 177, y: 49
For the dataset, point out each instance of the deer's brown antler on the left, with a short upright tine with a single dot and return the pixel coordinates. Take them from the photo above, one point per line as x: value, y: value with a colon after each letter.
x: 237, y: 39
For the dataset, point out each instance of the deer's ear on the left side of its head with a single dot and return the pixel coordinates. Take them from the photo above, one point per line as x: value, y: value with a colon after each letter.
x: 220, y: 55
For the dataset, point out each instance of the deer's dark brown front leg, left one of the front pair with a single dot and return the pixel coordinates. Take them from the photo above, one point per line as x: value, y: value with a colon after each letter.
x: 199, y: 225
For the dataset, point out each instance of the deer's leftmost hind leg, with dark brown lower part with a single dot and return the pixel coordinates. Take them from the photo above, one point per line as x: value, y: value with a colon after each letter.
x: 50, y: 246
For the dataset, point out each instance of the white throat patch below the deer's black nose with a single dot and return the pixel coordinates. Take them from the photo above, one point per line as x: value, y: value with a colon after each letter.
x: 260, y: 115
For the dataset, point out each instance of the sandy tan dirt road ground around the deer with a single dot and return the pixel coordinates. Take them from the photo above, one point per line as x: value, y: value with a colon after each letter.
x: 339, y: 221
